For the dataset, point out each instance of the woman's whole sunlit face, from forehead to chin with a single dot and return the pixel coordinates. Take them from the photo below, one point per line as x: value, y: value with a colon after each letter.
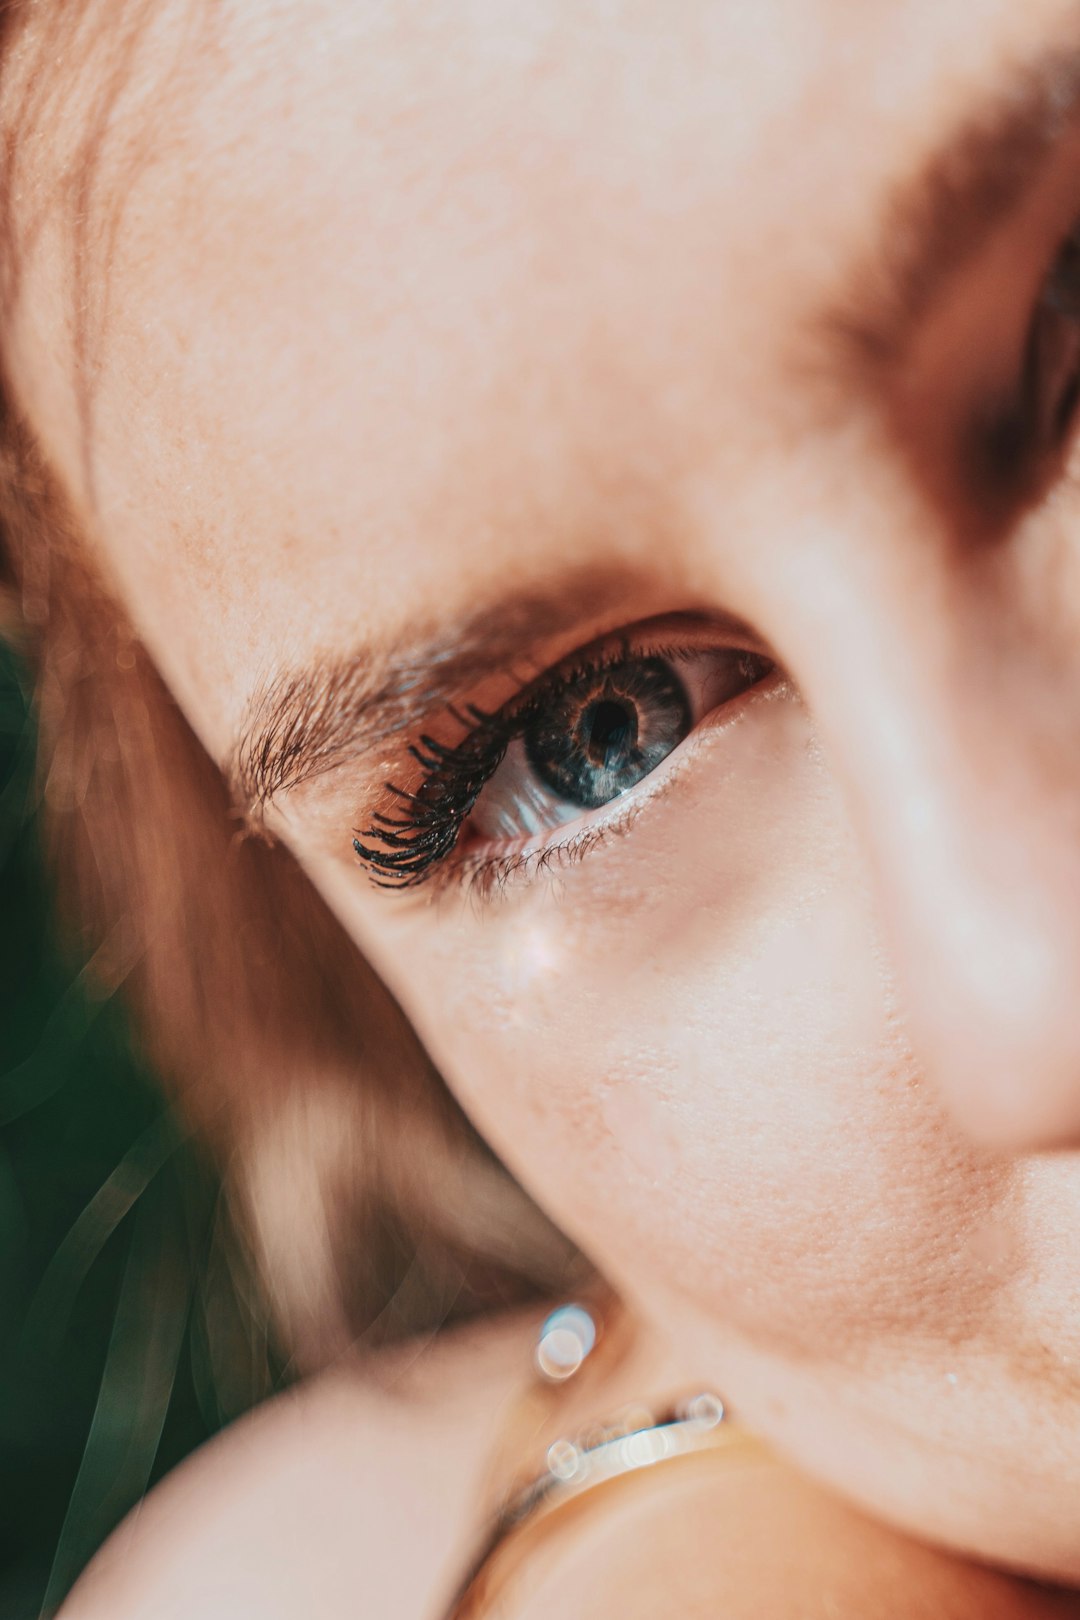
x: 610, y: 463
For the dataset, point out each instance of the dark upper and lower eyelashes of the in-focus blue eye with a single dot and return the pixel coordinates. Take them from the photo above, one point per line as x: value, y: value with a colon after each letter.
x: 407, y: 846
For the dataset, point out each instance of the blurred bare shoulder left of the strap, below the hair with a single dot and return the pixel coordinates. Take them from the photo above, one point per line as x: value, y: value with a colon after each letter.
x: 355, y: 1494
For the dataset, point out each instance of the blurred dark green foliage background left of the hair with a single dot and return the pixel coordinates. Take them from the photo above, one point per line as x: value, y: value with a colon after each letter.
x: 127, y: 1331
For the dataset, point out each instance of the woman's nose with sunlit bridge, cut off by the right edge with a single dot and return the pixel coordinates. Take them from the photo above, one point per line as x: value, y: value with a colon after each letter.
x: 946, y: 689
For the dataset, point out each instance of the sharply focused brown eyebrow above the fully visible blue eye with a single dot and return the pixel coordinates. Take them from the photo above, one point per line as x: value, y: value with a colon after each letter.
x: 304, y: 723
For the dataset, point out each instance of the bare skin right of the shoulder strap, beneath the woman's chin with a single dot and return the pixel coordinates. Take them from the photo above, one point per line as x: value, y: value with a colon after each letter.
x: 757, y: 1541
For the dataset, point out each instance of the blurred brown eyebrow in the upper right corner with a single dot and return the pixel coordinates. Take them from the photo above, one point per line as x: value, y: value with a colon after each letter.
x: 942, y: 220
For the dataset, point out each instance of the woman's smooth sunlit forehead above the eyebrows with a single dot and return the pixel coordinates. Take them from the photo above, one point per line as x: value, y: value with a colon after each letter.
x: 383, y: 299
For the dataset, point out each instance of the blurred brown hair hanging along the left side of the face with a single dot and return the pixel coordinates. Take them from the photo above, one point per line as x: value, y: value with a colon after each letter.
x: 372, y: 1206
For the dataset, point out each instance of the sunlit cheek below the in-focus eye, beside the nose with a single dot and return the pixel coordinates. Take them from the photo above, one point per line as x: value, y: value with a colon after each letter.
x: 686, y: 1049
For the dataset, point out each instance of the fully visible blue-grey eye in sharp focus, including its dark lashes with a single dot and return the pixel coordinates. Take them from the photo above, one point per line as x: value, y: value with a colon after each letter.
x: 558, y: 767
